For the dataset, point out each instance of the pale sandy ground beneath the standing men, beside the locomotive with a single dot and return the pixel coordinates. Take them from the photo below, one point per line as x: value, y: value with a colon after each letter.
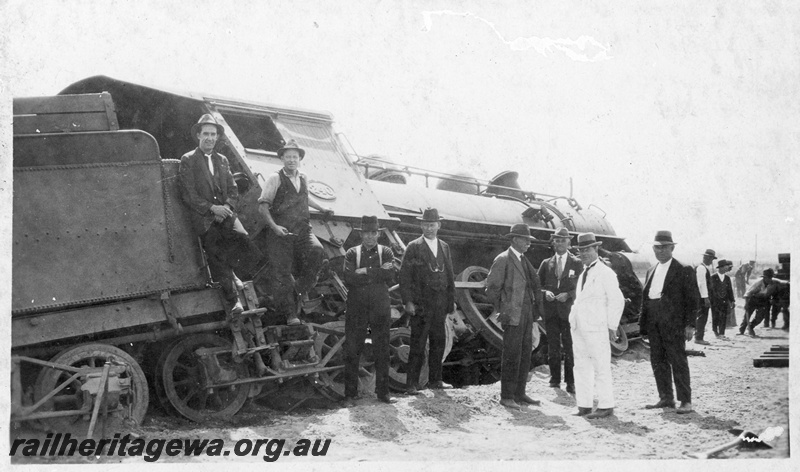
x: 468, y: 424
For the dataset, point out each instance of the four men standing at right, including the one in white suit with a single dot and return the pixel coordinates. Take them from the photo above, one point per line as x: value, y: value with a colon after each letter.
x: 582, y: 304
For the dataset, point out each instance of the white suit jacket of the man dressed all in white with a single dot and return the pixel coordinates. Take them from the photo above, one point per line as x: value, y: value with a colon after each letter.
x: 599, y: 301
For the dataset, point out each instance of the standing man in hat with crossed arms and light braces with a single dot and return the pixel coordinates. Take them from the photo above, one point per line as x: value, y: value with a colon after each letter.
x: 368, y: 273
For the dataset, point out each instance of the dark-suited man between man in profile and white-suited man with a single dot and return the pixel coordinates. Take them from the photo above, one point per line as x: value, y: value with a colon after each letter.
x: 559, y: 275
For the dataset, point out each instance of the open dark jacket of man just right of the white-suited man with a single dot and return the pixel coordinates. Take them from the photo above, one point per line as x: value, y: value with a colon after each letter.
x: 680, y: 298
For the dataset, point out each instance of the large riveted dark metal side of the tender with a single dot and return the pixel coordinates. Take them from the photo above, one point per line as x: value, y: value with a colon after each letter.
x: 93, y: 223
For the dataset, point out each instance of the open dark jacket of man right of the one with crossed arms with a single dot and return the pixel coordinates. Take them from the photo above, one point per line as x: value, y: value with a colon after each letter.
x: 416, y: 279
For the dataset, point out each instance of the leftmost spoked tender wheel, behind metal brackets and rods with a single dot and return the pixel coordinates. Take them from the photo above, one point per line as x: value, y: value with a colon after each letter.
x: 71, y: 397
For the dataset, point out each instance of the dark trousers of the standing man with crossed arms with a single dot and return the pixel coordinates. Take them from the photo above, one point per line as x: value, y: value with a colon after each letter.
x: 367, y: 307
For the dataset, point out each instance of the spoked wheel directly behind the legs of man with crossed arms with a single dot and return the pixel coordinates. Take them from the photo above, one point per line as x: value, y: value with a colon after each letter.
x: 331, y: 383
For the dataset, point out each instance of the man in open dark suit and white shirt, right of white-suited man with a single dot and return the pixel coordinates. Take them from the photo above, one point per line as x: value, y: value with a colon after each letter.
x: 669, y: 308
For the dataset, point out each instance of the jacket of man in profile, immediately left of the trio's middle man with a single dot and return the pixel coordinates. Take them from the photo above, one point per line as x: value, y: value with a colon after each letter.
x: 507, y: 284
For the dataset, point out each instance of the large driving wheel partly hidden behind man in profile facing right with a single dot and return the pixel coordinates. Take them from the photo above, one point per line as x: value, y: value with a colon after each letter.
x: 477, y: 308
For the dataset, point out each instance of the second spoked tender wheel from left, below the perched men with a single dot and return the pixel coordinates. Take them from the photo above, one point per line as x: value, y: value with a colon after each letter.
x: 184, y: 380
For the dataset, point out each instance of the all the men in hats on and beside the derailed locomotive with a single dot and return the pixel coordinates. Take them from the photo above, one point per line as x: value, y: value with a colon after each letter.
x: 579, y: 299
